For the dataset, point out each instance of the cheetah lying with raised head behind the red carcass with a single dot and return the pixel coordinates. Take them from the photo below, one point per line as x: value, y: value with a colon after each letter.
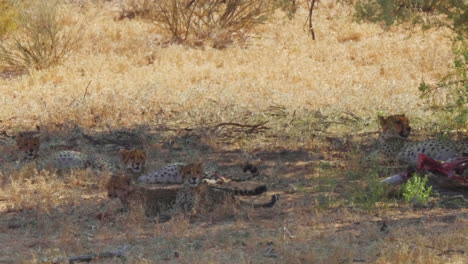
x: 395, y: 146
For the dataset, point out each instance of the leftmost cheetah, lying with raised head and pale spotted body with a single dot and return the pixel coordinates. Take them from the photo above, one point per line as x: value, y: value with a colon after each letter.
x: 29, y: 145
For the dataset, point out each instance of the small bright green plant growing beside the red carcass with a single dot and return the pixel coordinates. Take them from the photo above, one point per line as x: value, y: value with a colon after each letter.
x: 416, y: 190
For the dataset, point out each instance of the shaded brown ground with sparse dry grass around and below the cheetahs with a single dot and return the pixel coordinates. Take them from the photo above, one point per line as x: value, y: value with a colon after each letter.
x: 312, y: 223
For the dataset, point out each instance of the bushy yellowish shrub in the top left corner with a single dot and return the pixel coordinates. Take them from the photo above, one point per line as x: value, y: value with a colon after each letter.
x: 41, y: 39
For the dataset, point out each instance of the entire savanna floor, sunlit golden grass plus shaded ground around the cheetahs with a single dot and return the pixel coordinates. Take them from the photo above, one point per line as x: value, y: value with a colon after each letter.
x: 315, y: 103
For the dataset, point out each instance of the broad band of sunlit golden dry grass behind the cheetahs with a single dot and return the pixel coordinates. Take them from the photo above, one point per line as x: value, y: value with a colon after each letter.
x: 351, y: 67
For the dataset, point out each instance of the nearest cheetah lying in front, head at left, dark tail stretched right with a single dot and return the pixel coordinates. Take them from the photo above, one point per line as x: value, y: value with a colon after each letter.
x: 166, y: 199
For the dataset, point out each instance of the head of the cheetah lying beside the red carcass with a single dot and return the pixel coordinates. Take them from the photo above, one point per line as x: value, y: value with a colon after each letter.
x: 395, y: 126
